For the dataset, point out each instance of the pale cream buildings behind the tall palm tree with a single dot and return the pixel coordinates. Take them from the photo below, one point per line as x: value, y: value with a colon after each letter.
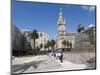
x: 42, y: 39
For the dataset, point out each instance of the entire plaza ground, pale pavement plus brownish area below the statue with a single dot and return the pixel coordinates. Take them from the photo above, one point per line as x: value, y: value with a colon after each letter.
x: 43, y: 63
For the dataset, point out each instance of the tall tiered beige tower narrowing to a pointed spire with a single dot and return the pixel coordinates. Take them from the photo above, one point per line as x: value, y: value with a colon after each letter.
x: 61, y: 33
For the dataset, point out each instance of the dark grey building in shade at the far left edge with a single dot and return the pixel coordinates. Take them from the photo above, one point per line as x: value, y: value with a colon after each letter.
x: 17, y: 40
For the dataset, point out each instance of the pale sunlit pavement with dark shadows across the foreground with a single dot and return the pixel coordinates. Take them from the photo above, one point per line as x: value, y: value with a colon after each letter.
x: 43, y: 63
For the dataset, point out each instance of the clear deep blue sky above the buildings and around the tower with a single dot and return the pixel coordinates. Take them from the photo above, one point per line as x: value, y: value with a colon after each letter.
x: 43, y: 16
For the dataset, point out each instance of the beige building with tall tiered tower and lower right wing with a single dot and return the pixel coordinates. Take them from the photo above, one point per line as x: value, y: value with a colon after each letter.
x: 62, y: 34
